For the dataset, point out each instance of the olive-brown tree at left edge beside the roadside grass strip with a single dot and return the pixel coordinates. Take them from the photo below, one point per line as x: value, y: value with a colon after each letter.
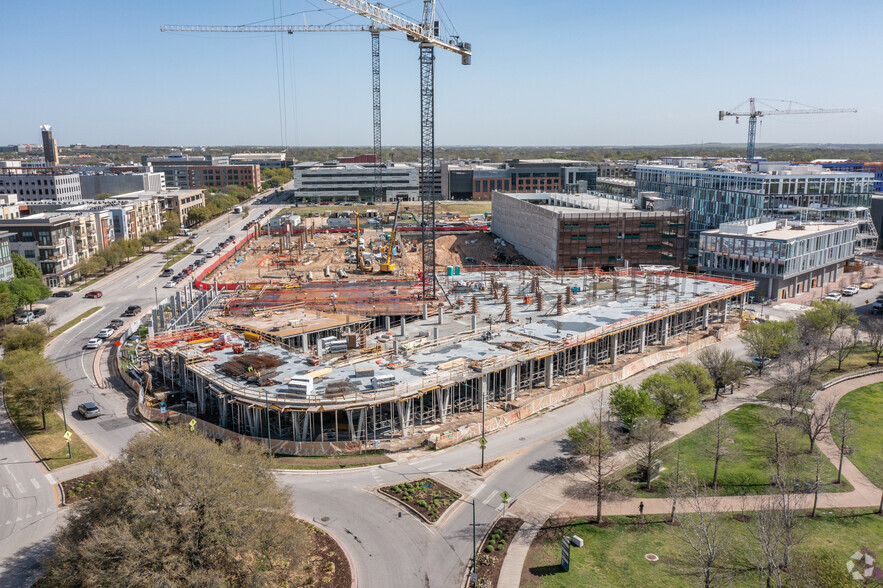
x: 32, y: 381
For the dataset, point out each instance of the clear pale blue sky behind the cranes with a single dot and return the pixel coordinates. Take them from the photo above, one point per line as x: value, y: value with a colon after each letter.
x: 551, y: 72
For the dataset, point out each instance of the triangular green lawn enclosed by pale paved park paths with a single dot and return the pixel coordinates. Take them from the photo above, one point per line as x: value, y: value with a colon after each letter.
x: 747, y: 472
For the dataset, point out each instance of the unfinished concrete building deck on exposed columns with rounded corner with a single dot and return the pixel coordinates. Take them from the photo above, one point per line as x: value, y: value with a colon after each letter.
x: 371, y: 361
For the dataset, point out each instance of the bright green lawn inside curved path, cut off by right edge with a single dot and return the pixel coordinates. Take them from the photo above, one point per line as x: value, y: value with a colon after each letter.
x: 866, y: 406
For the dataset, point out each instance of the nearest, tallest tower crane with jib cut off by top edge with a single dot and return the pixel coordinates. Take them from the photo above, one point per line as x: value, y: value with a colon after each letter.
x: 426, y: 34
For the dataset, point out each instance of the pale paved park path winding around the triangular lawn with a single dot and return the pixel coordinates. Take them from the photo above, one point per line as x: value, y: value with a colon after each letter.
x: 550, y: 496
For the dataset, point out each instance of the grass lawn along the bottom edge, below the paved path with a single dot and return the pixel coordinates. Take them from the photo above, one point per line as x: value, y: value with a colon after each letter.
x: 614, y: 557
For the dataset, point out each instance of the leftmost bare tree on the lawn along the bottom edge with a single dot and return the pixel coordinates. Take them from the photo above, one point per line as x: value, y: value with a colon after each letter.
x: 703, y: 532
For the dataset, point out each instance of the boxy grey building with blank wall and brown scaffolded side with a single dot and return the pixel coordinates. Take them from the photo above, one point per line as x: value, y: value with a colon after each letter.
x: 572, y: 231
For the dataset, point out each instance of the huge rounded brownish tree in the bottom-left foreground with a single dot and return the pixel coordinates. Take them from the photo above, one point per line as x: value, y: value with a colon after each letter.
x: 179, y: 509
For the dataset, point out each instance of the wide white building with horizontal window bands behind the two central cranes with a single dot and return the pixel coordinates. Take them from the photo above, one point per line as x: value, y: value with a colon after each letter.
x: 349, y: 182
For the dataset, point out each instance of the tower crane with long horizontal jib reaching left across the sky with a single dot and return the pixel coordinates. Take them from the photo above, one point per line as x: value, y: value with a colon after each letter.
x: 291, y: 29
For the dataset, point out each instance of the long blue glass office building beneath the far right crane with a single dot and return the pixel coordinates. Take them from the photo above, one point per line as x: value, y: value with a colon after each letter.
x: 718, y: 192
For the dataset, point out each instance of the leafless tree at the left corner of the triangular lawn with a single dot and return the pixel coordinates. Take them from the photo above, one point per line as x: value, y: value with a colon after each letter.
x: 593, y: 447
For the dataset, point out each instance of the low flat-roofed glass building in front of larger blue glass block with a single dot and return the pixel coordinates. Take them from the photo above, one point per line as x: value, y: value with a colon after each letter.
x: 784, y: 257
